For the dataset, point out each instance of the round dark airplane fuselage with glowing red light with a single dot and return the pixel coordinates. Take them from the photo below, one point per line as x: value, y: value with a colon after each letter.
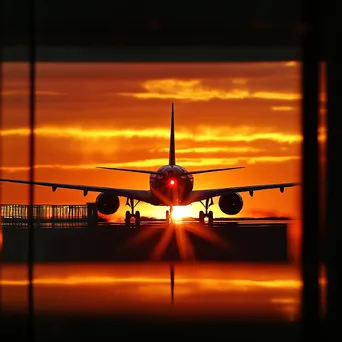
x: 172, y: 186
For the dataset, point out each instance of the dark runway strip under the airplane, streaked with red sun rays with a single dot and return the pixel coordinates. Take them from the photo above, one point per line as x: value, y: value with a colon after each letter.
x: 226, y: 241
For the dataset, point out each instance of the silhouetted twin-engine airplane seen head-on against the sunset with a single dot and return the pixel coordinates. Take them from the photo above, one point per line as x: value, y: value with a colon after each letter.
x: 171, y: 185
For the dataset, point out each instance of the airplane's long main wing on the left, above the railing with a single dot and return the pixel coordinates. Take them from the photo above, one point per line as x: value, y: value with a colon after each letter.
x: 139, y: 195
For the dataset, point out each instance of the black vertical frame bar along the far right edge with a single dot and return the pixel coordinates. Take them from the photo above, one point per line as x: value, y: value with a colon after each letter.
x: 334, y: 186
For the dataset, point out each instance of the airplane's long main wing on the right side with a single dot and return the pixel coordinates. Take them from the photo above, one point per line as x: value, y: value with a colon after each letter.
x: 199, y: 195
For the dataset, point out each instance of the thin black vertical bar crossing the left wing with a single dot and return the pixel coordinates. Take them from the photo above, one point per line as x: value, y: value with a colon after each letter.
x: 32, y: 108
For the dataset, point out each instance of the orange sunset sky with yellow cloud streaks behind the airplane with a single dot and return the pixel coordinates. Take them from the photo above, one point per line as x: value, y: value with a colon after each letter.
x: 119, y: 114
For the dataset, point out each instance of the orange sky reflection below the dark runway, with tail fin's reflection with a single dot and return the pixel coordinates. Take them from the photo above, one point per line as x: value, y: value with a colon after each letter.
x: 200, y: 289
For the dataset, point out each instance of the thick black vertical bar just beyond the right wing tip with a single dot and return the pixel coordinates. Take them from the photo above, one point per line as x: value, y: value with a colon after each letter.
x: 310, y: 168
